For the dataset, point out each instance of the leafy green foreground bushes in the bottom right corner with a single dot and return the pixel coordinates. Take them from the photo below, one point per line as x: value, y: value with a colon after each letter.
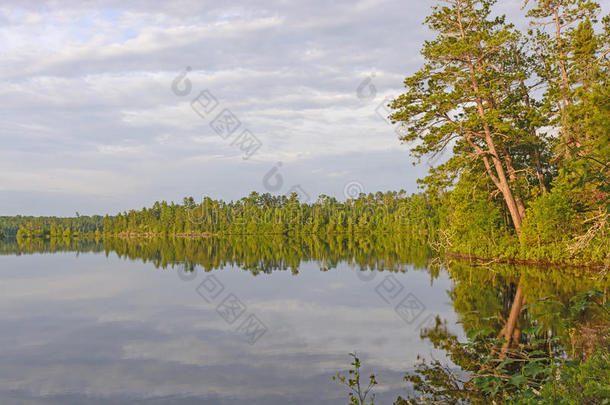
x: 534, y: 371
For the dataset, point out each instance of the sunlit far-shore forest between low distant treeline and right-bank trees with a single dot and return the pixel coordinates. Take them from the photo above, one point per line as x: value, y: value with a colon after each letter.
x: 263, y: 214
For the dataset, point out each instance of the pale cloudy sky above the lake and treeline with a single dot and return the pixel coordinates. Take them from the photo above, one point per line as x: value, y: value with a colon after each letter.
x: 111, y: 105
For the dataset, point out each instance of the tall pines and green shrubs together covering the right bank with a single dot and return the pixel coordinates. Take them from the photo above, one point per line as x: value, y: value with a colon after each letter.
x: 527, y: 120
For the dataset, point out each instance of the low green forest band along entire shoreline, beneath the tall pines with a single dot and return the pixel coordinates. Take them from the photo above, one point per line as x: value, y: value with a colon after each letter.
x: 445, y: 223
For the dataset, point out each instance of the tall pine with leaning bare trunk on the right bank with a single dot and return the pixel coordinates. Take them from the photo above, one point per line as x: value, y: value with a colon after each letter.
x: 472, y: 94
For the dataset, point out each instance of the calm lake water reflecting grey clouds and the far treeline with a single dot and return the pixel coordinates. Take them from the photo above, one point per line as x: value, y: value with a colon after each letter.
x: 229, y: 321
